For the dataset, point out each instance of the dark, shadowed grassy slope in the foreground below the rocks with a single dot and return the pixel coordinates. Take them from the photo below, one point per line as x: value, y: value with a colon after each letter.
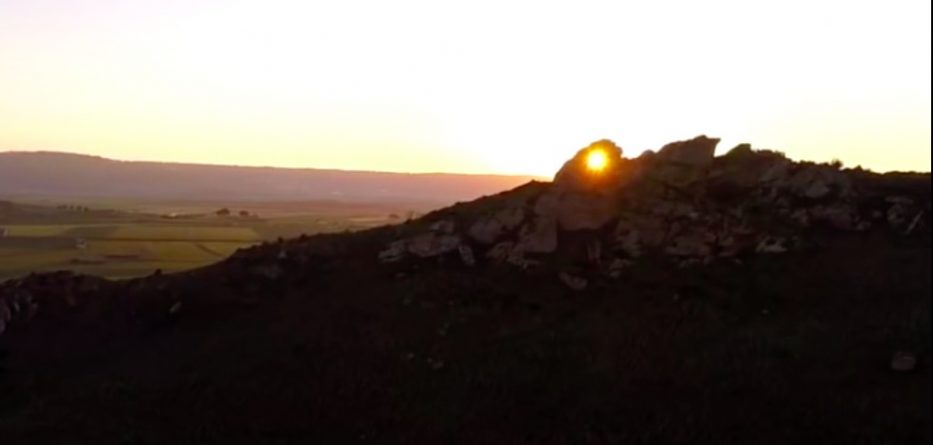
x: 790, y: 349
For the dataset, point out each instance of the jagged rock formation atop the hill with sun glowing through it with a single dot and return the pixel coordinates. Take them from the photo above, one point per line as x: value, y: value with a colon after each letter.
x: 681, y: 203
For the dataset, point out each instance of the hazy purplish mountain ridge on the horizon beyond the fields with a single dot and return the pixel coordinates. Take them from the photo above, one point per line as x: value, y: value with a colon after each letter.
x: 44, y: 174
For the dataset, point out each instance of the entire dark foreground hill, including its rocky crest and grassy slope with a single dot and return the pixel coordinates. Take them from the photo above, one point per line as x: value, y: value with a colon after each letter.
x: 676, y: 297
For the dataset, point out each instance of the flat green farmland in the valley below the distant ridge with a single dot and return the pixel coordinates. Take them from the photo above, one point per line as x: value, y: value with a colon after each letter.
x: 138, y: 239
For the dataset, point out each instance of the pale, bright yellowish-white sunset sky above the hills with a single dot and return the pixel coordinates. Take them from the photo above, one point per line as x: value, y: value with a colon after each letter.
x: 479, y: 87
